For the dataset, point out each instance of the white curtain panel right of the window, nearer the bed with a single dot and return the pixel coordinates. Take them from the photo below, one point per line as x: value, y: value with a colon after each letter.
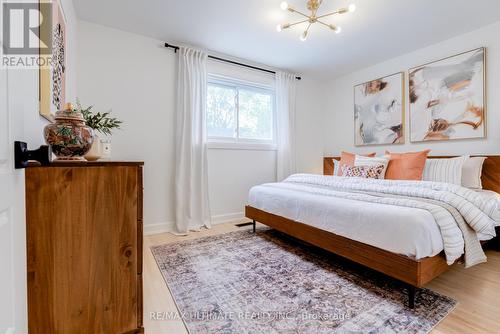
x: 285, y: 109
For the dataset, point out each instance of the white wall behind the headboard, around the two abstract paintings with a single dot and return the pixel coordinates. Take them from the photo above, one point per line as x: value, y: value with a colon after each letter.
x: 339, y: 123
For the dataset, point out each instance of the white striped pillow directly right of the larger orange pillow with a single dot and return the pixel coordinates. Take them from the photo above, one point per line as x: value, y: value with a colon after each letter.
x: 445, y: 170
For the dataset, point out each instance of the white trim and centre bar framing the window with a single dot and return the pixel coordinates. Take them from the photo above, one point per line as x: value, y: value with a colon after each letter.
x: 241, y: 143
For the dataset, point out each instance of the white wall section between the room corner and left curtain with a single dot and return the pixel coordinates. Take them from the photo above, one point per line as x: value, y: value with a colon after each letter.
x: 135, y: 77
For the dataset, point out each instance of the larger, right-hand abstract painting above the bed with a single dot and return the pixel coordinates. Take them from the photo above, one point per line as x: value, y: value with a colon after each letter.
x: 448, y: 98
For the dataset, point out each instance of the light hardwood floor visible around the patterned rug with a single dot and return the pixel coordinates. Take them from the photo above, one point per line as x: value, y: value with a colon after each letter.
x: 477, y: 291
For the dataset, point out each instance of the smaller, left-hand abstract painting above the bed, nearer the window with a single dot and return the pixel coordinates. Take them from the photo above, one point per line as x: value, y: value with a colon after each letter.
x: 379, y: 111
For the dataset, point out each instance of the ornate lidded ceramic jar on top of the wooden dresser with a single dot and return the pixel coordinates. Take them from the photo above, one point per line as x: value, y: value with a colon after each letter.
x: 69, y: 138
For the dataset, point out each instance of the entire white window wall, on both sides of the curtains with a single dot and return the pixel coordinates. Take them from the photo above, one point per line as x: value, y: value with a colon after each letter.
x: 135, y: 76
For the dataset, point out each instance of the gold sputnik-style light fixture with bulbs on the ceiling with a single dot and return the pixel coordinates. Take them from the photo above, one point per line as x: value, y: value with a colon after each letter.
x: 313, y: 6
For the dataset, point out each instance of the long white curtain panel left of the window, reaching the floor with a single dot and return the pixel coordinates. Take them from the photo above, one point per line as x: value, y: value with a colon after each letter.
x: 192, y: 208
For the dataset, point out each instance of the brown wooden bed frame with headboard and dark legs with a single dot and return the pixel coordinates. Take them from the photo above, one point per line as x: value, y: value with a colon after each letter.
x: 416, y: 273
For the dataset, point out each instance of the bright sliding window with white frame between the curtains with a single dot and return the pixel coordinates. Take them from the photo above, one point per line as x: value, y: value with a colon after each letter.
x: 239, y: 112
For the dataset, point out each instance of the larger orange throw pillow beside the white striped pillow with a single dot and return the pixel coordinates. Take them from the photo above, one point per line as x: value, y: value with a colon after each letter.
x: 406, y: 166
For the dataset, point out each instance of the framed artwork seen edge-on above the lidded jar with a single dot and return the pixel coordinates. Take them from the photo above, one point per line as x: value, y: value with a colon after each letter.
x: 52, y: 78
